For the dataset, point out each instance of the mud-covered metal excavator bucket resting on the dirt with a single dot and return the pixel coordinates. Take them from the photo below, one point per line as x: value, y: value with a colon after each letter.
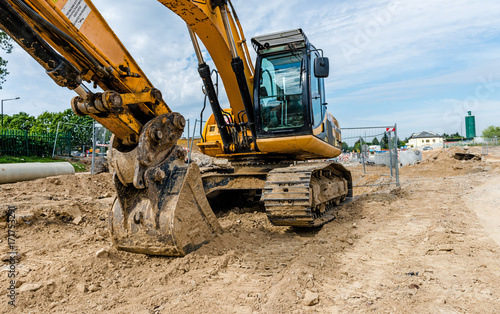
x: 171, y: 216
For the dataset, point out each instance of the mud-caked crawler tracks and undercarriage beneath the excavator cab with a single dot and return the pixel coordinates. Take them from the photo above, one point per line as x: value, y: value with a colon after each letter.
x: 301, y: 195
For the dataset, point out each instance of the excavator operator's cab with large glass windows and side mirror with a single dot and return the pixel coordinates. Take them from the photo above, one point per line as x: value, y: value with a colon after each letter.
x: 289, y: 97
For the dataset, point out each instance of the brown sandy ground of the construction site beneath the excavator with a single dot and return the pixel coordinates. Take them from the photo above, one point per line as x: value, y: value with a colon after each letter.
x: 428, y: 247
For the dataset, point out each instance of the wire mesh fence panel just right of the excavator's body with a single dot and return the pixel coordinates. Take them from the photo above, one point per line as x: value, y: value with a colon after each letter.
x: 371, y: 153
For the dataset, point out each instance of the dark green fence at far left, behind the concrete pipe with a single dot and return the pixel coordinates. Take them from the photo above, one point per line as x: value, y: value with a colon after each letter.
x: 24, y: 143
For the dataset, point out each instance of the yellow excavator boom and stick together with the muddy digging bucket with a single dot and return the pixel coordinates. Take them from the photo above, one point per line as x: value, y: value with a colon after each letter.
x: 161, y: 206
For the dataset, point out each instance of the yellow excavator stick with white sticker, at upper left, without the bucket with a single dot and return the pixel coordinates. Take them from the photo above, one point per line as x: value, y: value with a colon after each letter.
x: 71, y: 37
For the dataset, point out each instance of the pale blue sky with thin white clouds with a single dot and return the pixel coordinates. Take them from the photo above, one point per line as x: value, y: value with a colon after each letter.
x: 420, y: 64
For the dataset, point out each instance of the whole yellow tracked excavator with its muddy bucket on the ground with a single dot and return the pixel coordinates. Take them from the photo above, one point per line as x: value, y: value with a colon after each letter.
x: 276, y: 124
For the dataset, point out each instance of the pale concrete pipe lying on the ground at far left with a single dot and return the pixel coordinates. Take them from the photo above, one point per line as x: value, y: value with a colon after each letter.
x: 10, y: 173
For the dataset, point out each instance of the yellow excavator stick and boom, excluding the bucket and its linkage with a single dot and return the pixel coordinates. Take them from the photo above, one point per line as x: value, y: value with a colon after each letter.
x: 70, y: 37
